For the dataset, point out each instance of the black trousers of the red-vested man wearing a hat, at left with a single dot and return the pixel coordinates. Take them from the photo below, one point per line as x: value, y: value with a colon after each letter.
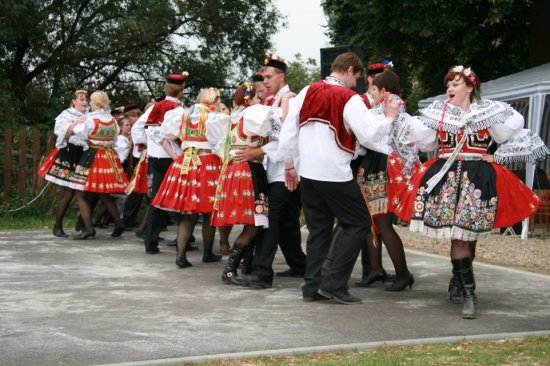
x: 156, y: 218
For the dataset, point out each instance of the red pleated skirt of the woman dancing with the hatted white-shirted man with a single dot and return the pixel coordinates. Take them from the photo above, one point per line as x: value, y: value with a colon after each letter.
x: 235, y: 203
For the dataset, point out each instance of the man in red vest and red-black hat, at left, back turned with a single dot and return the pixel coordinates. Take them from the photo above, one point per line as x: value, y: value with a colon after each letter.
x: 146, y: 130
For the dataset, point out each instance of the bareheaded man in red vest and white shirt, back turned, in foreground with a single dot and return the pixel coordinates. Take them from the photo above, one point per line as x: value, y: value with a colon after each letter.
x: 323, y: 126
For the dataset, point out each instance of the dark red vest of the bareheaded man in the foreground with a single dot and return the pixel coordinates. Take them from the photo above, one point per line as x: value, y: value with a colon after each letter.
x: 325, y: 103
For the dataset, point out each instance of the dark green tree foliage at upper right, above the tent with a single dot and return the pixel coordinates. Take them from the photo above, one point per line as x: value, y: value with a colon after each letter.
x: 425, y: 37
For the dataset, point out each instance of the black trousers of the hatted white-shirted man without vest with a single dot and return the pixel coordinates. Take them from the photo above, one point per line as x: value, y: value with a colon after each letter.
x: 284, y: 230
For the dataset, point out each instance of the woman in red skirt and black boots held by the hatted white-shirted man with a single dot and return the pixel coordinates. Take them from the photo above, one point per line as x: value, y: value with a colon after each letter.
x: 242, y: 197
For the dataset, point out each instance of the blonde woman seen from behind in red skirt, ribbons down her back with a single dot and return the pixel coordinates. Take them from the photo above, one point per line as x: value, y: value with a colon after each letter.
x: 189, y: 186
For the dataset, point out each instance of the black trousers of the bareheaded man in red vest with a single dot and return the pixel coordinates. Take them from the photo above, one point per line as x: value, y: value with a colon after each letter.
x: 330, y: 268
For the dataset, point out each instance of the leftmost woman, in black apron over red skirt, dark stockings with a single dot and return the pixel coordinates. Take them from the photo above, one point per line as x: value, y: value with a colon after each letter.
x: 62, y: 160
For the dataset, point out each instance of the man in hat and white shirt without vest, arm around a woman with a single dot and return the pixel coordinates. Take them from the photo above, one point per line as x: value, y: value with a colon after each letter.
x: 284, y: 205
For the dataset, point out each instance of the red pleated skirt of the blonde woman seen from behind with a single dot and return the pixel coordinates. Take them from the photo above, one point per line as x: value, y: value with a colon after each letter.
x: 193, y: 192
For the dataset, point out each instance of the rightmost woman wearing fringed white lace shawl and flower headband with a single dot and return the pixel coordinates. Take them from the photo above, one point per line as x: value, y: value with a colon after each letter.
x: 464, y: 193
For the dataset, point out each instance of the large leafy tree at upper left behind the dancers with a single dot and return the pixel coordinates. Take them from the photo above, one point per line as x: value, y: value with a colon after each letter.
x: 50, y: 47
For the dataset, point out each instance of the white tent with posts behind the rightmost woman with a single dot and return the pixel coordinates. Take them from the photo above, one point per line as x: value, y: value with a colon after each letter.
x: 528, y: 91
